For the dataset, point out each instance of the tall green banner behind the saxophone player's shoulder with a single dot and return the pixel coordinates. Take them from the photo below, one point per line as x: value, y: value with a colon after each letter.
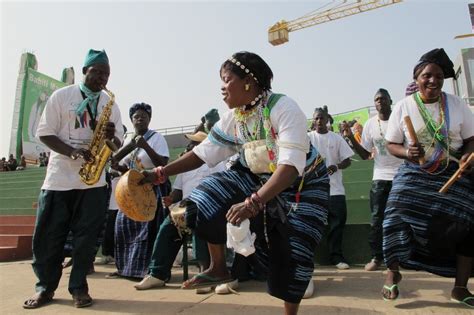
x: 37, y: 90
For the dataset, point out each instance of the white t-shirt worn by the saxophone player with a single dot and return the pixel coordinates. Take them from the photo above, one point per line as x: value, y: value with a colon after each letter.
x: 59, y: 118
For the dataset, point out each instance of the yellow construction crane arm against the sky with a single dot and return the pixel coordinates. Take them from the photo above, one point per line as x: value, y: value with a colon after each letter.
x: 278, y: 33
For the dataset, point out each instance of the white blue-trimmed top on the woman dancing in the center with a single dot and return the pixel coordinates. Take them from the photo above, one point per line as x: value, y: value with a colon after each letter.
x: 288, y: 121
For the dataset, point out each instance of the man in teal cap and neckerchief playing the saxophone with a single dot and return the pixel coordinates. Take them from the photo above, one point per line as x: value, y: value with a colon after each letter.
x: 65, y: 202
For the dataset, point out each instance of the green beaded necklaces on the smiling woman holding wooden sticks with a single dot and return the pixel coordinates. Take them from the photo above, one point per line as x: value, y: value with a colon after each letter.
x: 439, y: 132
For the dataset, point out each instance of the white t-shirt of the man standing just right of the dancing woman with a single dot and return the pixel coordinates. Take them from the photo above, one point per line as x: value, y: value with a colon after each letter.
x: 334, y: 149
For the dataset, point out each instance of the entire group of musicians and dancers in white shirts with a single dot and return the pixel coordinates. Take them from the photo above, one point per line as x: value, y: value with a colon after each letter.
x: 256, y: 183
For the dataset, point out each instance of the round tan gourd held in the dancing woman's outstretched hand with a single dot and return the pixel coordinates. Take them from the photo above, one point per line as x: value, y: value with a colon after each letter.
x: 138, y: 202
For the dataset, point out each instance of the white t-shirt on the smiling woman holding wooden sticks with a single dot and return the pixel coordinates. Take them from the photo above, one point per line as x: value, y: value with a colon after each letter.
x: 461, y: 122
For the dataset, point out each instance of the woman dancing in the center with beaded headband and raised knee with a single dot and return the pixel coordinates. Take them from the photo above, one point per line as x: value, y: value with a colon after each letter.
x: 280, y: 182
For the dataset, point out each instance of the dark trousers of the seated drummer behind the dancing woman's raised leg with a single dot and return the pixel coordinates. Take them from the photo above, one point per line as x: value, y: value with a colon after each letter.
x: 166, y: 247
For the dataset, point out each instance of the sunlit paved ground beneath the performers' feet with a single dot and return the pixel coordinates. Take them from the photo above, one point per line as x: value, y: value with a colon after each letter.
x: 351, y: 291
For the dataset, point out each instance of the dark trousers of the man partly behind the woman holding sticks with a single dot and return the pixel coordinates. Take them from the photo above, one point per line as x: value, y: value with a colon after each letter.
x: 378, y: 201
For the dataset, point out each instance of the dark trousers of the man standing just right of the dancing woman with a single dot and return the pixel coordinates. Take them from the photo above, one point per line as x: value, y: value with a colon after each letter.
x: 337, y: 216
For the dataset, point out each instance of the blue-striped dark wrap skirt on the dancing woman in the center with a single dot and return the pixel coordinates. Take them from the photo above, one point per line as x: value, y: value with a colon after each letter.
x: 285, y: 248
